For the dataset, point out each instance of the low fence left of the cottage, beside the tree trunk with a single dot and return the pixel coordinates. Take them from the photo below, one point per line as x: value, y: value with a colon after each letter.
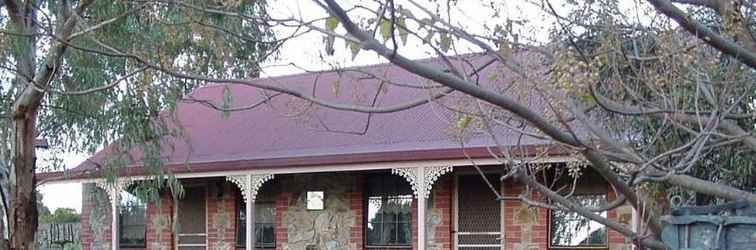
x: 58, y: 236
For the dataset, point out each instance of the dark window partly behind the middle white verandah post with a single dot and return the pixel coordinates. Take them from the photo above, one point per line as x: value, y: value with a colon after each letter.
x: 265, y: 214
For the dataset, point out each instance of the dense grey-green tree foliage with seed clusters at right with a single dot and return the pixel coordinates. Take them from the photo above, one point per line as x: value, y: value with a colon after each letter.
x: 653, y: 66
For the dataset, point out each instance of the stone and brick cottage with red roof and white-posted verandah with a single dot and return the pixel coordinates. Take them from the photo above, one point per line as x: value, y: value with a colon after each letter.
x: 288, y: 174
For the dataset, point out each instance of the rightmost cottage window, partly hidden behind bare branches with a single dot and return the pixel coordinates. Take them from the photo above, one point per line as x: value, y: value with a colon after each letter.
x: 570, y: 230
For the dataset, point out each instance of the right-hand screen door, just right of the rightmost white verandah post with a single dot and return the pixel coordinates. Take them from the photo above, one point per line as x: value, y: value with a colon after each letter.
x: 478, y: 222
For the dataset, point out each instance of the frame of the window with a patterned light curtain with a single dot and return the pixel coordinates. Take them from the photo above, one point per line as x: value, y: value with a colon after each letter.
x: 384, y: 198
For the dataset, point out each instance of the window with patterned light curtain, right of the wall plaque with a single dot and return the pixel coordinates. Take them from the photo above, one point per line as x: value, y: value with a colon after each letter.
x: 389, y: 211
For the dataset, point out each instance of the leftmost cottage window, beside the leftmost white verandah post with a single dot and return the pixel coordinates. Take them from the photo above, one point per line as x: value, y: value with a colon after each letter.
x: 131, y: 221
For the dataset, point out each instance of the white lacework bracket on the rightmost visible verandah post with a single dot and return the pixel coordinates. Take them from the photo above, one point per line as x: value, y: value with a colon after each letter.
x: 422, y: 186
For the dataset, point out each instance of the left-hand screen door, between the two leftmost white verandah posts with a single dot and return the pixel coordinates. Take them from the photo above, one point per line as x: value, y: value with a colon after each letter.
x: 192, y: 233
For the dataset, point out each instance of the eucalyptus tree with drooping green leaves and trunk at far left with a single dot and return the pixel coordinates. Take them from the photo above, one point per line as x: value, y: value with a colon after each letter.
x: 83, y: 74
